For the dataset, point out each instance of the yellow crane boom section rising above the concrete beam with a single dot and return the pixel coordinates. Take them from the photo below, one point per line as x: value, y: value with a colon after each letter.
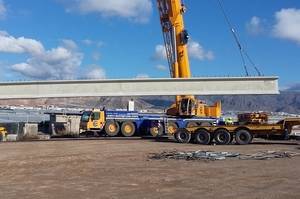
x: 175, y: 37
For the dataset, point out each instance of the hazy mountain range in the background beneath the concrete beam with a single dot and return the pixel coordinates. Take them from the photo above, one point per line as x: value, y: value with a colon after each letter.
x: 287, y: 101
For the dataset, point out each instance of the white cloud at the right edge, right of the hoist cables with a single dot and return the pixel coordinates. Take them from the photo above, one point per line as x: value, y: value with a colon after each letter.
x: 287, y: 24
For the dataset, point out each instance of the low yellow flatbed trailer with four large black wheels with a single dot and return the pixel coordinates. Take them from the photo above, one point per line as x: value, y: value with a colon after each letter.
x: 242, y: 133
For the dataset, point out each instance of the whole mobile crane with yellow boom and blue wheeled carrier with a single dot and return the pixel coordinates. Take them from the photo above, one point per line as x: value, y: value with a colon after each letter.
x: 187, y: 111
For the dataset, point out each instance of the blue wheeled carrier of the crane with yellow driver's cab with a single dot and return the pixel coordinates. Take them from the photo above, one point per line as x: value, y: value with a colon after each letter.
x: 130, y: 123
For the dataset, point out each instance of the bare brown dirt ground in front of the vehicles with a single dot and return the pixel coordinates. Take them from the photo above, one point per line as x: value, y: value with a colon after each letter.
x: 120, y: 168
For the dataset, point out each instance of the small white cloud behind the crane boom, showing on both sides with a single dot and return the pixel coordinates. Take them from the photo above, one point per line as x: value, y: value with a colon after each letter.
x: 196, y: 51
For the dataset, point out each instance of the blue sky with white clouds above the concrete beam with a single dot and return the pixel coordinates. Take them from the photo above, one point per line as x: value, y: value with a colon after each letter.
x: 66, y: 39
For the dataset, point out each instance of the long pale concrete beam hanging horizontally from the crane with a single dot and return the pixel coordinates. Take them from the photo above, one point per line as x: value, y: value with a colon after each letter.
x: 140, y: 87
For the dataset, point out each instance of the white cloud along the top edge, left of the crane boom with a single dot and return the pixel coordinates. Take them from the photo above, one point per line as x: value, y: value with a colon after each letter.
x: 136, y: 10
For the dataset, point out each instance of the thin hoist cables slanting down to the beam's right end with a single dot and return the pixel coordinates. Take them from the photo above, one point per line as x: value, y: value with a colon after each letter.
x: 243, y: 52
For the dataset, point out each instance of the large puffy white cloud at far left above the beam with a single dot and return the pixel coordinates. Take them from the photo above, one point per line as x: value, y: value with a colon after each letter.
x: 58, y: 63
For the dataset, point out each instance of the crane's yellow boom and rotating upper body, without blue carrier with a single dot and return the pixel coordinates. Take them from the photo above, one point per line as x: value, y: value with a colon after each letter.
x: 176, y: 39
